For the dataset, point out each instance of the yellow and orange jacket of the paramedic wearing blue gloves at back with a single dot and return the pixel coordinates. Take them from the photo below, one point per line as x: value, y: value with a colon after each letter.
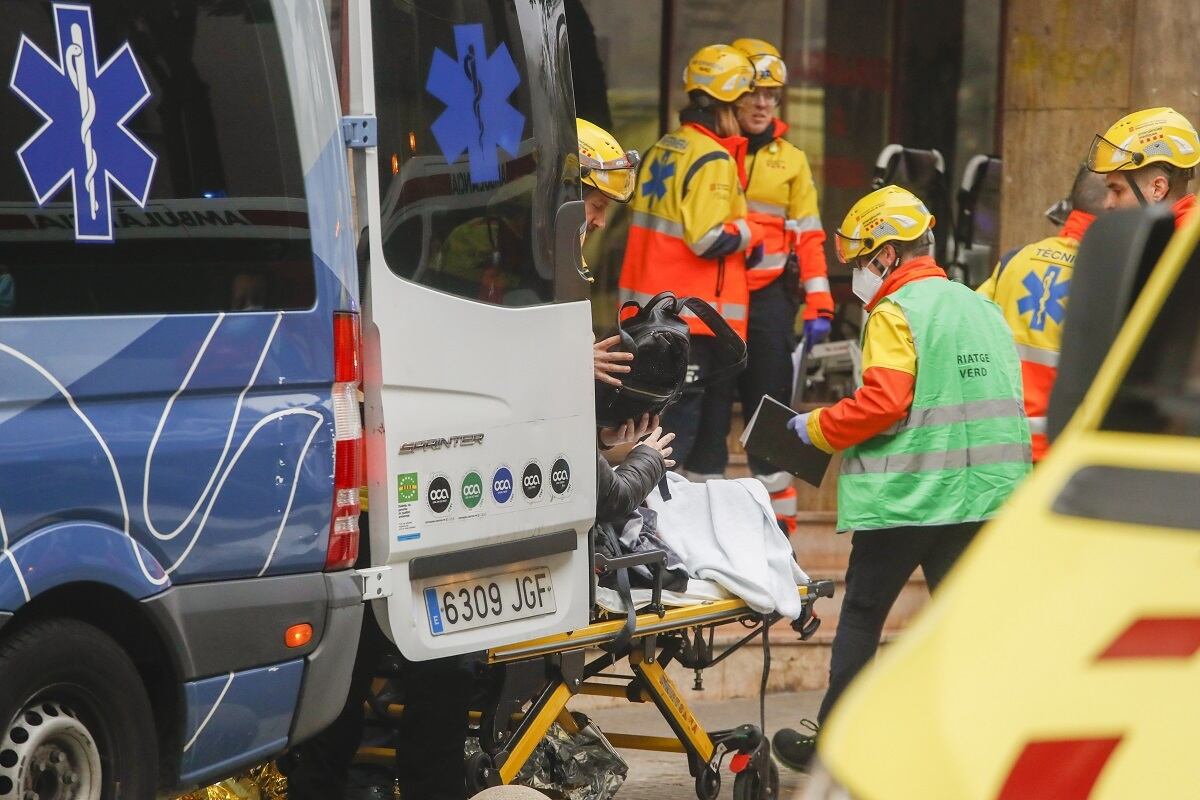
x: 783, y: 200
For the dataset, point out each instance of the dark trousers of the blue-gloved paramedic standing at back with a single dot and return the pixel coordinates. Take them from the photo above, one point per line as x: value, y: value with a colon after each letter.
x: 771, y: 341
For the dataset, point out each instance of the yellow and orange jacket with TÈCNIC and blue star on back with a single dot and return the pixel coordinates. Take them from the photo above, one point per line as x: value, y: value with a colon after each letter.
x: 1031, y: 286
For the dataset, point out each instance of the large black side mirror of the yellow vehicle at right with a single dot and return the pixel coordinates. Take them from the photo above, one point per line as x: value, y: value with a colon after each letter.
x: 1115, y: 260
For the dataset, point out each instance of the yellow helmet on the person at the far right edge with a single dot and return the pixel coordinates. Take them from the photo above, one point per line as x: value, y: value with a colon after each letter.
x: 1147, y: 137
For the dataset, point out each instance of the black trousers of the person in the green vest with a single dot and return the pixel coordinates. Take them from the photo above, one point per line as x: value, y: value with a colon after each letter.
x: 881, y: 562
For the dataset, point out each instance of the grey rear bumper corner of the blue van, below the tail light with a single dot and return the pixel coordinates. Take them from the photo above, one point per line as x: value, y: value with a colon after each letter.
x: 328, y: 670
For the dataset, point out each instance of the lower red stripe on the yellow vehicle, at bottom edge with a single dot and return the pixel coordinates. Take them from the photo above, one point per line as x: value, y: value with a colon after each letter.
x: 1061, y: 769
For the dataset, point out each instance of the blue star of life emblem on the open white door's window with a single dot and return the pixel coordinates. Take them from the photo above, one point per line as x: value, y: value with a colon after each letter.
x: 479, y: 117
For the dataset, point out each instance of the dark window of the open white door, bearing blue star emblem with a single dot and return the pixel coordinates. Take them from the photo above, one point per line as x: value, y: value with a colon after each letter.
x: 470, y: 172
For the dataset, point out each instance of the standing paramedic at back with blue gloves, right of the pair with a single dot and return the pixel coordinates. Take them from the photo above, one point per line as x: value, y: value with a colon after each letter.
x: 783, y: 200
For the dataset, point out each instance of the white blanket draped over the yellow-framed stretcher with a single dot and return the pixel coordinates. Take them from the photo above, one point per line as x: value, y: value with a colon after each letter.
x: 725, y: 532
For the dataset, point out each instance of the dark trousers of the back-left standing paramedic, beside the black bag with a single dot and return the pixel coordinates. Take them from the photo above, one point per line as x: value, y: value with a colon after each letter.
x: 700, y: 419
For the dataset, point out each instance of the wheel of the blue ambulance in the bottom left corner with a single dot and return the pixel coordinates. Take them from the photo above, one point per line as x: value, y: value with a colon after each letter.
x: 74, y: 717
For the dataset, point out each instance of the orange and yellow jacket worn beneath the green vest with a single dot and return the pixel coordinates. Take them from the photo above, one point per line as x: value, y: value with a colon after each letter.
x: 890, y: 370
